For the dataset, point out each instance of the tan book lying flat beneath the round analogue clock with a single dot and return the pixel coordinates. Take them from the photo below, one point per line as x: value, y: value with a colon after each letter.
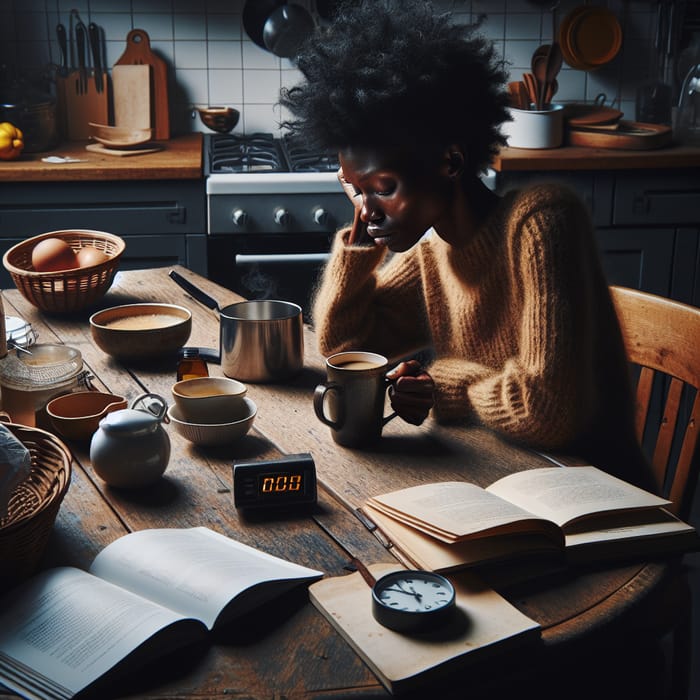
x: 486, y: 627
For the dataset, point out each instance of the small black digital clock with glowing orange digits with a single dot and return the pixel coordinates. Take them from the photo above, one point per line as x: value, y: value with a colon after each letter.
x: 280, y: 483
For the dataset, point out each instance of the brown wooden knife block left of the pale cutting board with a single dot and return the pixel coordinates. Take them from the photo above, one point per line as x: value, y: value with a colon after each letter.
x: 76, y: 110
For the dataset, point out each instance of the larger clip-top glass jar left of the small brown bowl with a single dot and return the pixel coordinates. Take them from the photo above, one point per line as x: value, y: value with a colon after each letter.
x: 29, y: 379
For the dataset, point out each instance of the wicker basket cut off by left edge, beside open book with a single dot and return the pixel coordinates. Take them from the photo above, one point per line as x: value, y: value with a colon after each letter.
x: 34, y: 504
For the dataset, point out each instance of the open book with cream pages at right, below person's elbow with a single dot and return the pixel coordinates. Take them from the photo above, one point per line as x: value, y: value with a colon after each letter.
x: 576, y: 514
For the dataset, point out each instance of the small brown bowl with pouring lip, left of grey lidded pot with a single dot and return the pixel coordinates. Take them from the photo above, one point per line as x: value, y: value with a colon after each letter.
x: 77, y: 416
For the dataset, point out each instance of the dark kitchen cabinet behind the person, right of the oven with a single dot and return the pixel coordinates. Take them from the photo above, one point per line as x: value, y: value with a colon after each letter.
x: 647, y: 223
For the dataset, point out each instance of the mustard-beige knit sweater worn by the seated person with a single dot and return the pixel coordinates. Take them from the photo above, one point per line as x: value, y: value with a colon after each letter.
x: 520, y: 321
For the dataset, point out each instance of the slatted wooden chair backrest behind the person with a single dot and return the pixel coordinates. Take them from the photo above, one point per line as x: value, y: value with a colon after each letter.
x: 662, y: 337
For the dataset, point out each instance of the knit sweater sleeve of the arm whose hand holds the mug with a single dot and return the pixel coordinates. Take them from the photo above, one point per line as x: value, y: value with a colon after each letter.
x: 543, y: 393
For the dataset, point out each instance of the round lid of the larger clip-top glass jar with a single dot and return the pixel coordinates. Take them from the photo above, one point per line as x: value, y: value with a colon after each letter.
x: 44, y: 365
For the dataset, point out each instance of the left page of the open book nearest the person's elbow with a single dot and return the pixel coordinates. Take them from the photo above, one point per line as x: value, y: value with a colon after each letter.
x: 453, y: 510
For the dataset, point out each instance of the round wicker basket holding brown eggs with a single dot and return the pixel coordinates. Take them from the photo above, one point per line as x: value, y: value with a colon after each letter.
x: 66, y: 290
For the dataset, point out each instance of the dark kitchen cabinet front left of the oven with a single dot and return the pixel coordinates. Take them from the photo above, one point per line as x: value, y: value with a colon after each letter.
x: 162, y: 222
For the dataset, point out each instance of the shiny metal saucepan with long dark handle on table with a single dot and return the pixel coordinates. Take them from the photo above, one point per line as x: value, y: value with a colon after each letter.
x: 260, y: 340
